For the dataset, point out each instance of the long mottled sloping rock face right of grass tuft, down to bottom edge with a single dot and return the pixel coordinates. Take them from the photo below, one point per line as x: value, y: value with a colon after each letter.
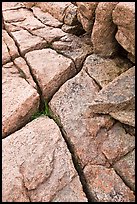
x: 94, y: 137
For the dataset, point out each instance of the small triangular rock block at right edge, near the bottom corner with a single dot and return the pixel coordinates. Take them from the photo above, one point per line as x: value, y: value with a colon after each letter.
x: 126, y: 169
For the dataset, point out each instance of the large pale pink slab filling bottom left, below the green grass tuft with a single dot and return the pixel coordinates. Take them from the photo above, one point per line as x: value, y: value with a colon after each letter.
x: 43, y: 169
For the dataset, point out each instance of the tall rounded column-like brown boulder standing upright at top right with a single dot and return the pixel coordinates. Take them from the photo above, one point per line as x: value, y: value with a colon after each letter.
x: 104, y: 30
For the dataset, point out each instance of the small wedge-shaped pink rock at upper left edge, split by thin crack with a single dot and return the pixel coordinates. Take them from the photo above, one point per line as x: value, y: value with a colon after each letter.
x: 9, y: 49
